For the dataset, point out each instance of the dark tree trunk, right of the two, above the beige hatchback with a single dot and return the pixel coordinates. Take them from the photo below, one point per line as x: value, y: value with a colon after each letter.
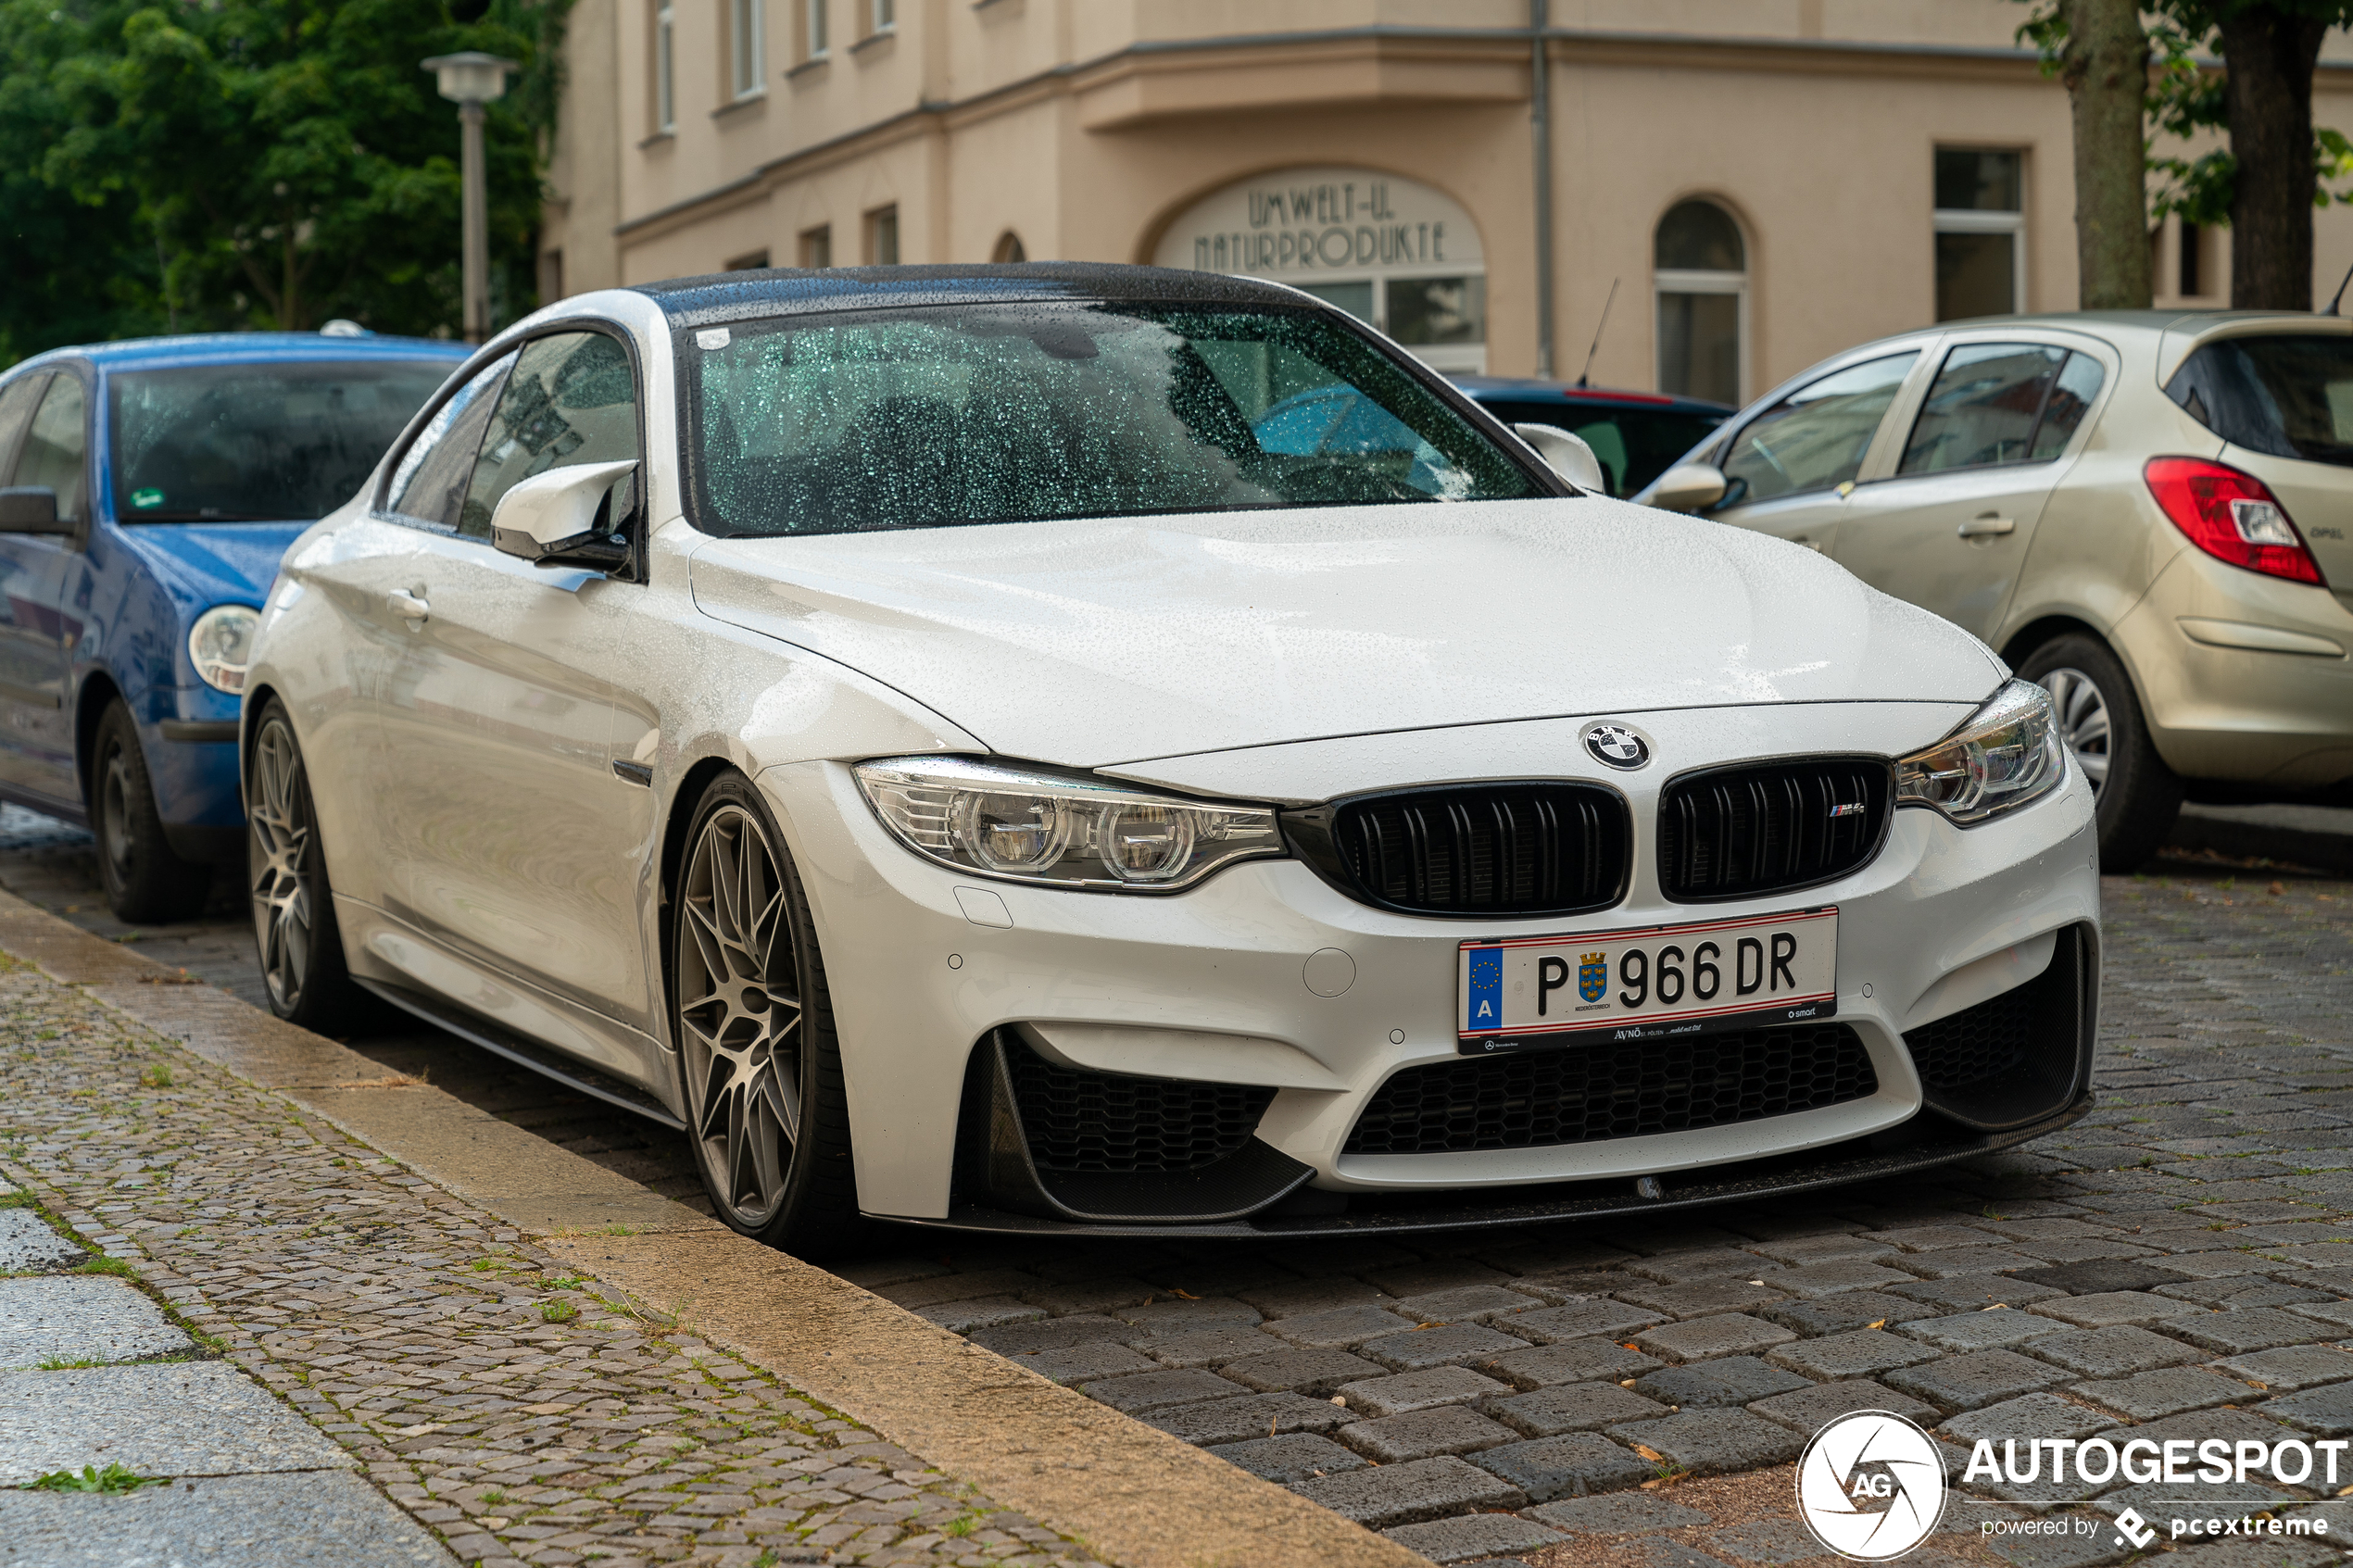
x: 2269, y: 100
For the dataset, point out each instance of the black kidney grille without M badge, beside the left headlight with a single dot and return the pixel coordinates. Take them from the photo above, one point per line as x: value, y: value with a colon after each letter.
x: 1486, y: 850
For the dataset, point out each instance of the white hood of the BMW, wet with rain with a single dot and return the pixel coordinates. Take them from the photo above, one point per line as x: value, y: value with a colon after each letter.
x: 1091, y: 643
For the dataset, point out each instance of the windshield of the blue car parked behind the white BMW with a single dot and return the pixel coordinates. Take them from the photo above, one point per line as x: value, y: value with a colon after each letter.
x: 258, y: 443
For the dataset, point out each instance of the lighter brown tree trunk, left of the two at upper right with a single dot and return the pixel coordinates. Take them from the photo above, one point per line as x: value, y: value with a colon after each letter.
x: 2107, y: 81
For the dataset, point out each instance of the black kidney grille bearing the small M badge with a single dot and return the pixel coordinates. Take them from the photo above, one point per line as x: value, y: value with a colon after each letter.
x: 1738, y: 833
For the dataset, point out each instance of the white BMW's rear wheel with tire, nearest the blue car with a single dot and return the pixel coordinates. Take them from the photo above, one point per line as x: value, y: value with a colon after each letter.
x: 302, y: 951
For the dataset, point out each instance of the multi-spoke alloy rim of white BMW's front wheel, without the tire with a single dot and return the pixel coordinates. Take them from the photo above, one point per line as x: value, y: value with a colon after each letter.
x: 740, y: 1014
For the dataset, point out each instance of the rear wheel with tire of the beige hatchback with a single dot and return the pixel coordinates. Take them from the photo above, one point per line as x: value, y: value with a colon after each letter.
x: 2102, y: 723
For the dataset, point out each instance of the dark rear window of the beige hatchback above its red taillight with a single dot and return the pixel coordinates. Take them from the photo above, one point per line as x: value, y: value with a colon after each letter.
x: 2286, y: 396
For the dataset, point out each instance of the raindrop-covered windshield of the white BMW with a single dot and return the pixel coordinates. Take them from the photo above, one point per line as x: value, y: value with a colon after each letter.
x: 1006, y: 415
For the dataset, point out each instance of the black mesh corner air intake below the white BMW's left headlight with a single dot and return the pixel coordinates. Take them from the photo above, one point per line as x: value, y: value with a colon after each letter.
x: 1114, y: 1123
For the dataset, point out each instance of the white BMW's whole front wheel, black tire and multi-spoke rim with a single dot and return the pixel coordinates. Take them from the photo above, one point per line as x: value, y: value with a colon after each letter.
x: 759, y: 1057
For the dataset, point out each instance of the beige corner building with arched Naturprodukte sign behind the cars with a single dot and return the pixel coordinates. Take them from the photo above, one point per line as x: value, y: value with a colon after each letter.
x: 1759, y: 182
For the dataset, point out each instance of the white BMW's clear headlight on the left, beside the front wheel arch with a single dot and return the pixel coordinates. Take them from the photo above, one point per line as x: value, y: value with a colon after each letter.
x: 1053, y: 831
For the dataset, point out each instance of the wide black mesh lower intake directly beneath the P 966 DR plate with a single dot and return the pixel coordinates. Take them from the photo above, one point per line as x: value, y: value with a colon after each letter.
x: 1613, y: 1090
